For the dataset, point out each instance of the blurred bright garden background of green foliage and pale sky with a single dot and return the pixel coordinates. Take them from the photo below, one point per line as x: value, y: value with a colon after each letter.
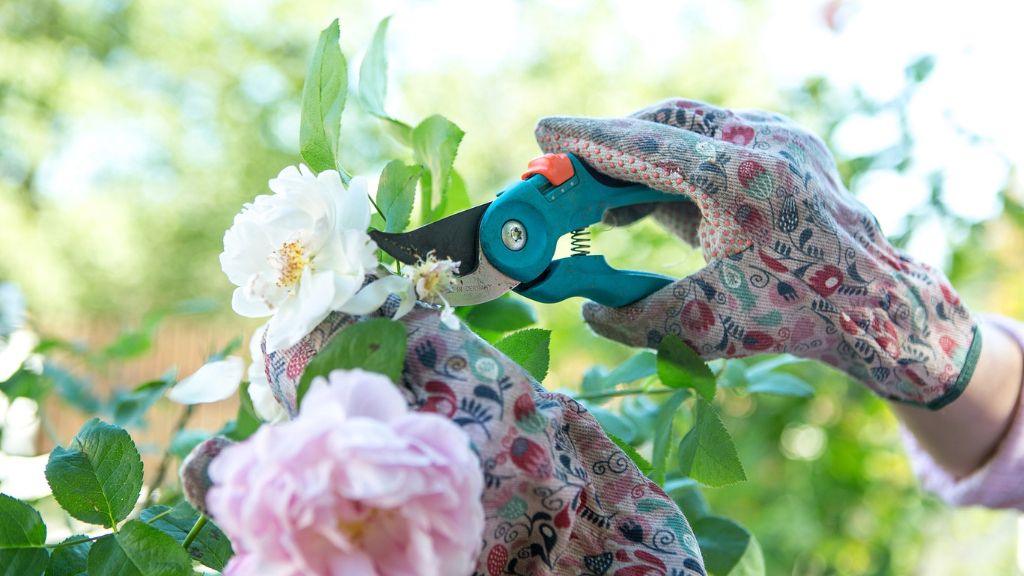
x: 132, y: 134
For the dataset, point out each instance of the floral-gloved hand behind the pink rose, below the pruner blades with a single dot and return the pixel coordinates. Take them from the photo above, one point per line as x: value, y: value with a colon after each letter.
x: 560, y: 497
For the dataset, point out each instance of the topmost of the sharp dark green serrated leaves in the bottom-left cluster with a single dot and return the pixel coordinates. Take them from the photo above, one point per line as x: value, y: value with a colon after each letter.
x: 99, y: 478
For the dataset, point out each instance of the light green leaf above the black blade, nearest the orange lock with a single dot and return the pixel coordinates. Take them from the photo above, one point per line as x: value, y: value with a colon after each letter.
x: 436, y: 142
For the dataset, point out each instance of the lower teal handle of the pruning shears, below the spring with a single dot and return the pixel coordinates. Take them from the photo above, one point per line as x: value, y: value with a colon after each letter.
x: 591, y: 277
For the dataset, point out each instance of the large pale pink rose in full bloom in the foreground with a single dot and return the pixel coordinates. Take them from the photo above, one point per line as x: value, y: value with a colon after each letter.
x: 357, y: 484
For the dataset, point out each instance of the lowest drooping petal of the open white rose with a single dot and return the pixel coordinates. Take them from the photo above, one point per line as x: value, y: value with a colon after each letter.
x: 298, y: 315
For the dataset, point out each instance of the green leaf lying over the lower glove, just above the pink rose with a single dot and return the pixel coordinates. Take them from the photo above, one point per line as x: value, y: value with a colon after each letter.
x: 377, y: 345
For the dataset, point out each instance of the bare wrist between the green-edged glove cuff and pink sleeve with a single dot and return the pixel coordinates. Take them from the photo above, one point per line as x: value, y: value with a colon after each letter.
x: 965, y: 434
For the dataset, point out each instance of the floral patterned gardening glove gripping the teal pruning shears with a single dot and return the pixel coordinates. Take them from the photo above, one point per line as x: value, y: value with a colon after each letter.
x: 795, y: 263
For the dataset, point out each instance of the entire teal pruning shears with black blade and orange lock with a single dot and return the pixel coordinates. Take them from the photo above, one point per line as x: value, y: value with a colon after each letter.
x: 509, y: 243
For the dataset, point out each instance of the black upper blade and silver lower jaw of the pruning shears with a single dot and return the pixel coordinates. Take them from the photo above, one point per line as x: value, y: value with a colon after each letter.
x: 458, y: 238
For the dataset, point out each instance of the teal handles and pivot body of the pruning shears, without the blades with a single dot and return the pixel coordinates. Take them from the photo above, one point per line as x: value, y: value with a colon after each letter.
x: 563, y: 197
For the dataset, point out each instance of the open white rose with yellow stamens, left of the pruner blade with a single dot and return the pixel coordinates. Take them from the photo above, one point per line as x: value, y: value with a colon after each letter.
x: 302, y: 254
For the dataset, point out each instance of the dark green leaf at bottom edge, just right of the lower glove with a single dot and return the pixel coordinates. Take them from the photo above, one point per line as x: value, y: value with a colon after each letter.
x: 729, y: 549
